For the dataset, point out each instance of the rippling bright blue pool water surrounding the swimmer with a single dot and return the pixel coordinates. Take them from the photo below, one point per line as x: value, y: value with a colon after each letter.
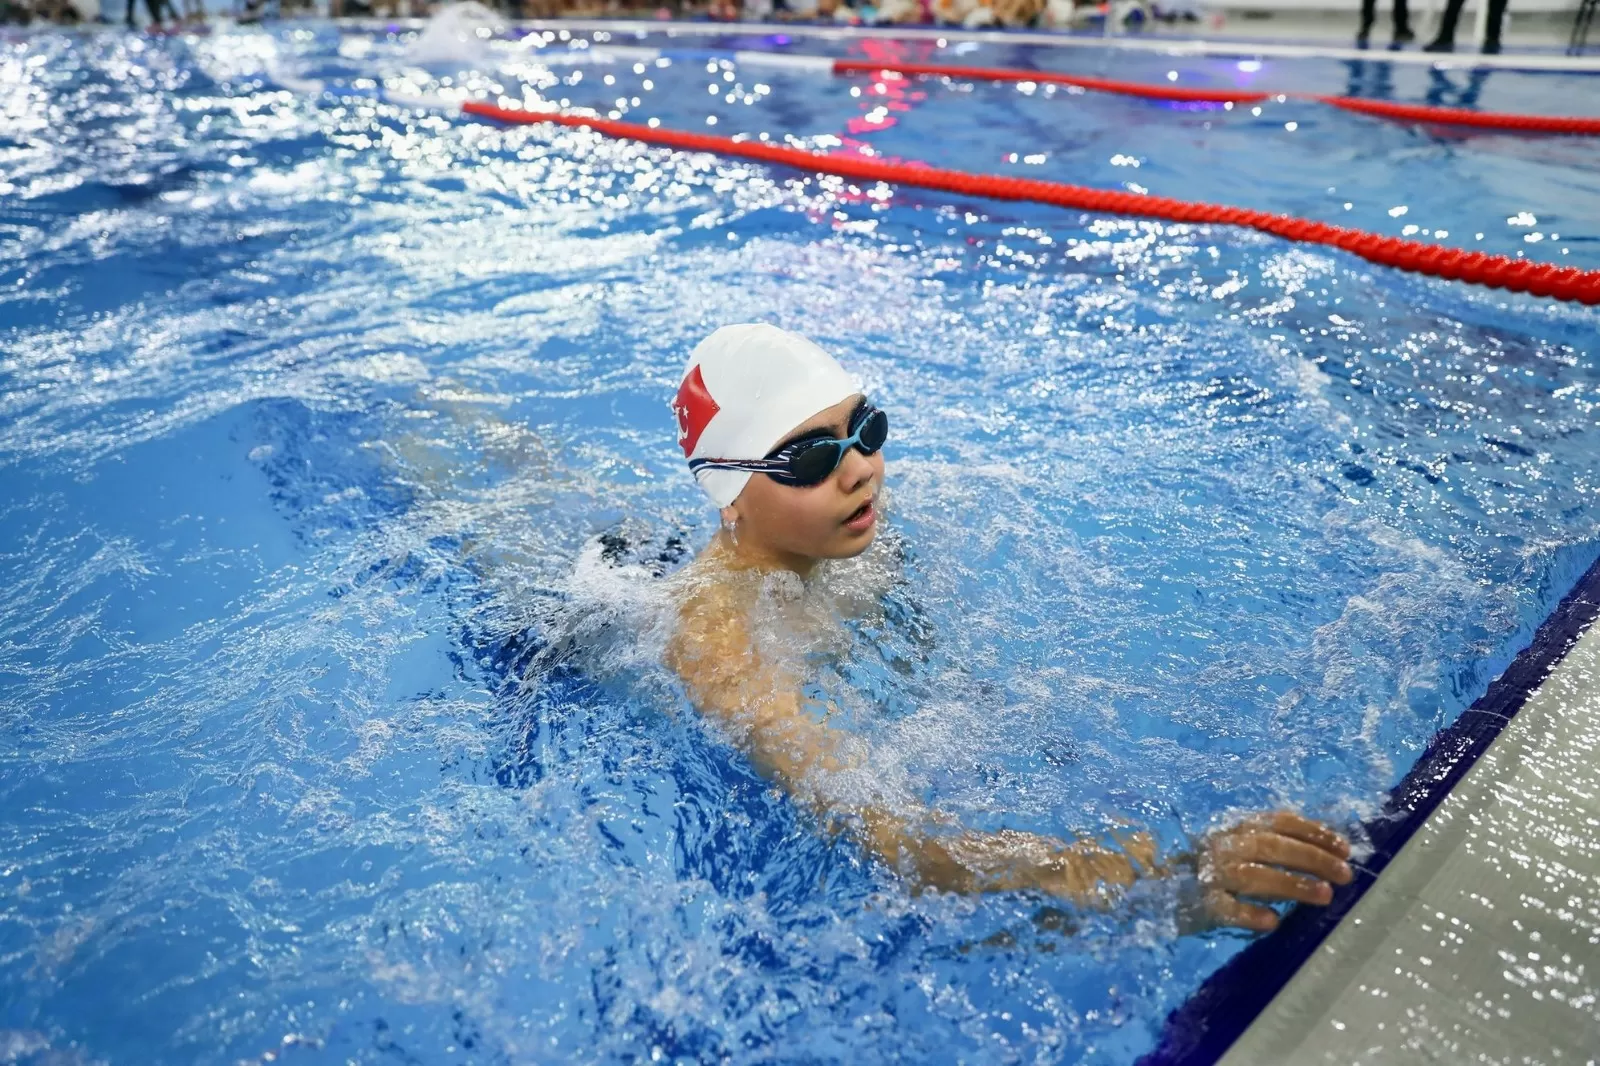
x: 310, y: 409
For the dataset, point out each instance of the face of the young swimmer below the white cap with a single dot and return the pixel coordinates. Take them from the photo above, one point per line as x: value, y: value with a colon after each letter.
x: 836, y: 519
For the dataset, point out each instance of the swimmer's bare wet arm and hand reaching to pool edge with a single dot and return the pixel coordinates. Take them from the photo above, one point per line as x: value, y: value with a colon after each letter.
x: 1271, y: 857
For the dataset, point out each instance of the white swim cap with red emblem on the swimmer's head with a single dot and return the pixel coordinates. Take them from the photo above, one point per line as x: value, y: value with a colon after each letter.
x: 745, y: 388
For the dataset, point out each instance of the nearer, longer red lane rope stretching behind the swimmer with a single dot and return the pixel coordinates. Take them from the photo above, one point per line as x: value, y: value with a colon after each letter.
x: 1519, y: 276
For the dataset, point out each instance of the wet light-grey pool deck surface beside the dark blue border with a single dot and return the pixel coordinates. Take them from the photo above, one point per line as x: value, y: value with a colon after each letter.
x: 1482, y: 939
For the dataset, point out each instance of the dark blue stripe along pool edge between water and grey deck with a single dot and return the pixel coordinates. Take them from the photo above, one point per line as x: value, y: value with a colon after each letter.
x: 1206, y: 1027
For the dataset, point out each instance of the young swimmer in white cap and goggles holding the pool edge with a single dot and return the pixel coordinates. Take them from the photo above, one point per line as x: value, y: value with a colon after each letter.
x: 788, y: 447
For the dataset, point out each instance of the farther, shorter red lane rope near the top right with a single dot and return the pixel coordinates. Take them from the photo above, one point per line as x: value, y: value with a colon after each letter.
x: 1383, y: 110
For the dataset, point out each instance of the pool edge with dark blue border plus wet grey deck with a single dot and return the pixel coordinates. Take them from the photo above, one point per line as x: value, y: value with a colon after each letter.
x: 1471, y: 929
